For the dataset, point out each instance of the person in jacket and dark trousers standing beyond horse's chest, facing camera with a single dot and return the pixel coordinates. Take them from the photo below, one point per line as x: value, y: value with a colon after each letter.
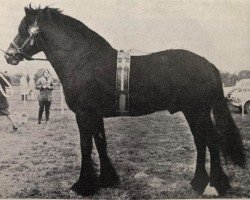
x: 45, y: 85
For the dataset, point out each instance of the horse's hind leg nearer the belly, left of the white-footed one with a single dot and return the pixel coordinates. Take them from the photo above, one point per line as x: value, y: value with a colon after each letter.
x: 201, y: 178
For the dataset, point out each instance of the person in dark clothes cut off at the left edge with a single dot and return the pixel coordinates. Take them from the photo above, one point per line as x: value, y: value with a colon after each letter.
x: 4, y: 105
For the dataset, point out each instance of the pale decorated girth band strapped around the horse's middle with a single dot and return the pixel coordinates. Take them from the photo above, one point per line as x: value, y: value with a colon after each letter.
x: 122, y: 82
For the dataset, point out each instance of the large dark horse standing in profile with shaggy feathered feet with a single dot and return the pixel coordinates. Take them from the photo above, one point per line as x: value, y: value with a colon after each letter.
x: 173, y: 80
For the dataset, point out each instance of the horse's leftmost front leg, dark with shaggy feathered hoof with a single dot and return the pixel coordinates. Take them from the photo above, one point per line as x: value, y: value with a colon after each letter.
x: 88, y: 182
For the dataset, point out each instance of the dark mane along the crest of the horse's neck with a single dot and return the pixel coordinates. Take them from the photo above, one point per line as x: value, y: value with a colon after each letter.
x: 55, y: 16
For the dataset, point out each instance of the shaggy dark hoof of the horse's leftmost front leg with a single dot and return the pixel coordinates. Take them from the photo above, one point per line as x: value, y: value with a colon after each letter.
x: 85, y: 188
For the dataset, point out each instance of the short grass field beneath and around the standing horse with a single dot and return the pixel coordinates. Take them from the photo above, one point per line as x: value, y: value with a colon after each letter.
x: 154, y: 156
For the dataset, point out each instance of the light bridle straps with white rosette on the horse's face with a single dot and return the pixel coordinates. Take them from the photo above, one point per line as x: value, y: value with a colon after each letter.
x: 33, y: 31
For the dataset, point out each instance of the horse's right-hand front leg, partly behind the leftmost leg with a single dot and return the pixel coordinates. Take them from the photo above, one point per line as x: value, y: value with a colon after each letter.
x: 108, y: 176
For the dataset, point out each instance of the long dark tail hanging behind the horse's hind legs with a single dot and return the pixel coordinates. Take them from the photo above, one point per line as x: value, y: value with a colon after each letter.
x: 231, y: 143
